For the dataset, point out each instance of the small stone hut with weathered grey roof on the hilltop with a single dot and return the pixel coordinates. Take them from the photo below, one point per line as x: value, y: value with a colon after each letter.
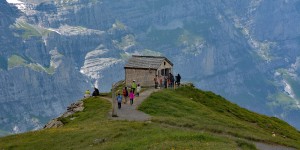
x: 143, y: 69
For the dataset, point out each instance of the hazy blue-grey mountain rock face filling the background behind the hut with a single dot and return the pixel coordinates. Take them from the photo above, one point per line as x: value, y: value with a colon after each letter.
x: 52, y: 51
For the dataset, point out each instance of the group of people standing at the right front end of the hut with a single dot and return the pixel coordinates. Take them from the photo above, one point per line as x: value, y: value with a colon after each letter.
x: 167, y: 81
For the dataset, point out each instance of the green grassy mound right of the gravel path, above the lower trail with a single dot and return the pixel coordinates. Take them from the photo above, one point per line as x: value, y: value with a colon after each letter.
x: 205, y: 111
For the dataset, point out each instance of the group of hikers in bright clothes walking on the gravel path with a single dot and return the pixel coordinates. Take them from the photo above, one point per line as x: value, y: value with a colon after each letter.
x: 135, y: 90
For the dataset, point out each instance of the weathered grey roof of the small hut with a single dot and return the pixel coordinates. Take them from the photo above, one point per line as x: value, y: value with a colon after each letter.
x: 147, y: 62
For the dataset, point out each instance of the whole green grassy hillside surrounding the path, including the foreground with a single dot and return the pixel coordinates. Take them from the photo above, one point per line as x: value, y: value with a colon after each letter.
x: 183, y: 119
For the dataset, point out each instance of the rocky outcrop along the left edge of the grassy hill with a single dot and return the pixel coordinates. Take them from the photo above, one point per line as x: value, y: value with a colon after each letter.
x: 73, y: 108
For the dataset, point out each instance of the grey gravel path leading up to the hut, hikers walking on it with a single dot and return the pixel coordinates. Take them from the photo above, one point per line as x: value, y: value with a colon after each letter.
x: 130, y: 112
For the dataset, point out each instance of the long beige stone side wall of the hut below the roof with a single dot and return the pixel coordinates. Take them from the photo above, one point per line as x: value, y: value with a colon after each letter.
x: 144, y: 77
